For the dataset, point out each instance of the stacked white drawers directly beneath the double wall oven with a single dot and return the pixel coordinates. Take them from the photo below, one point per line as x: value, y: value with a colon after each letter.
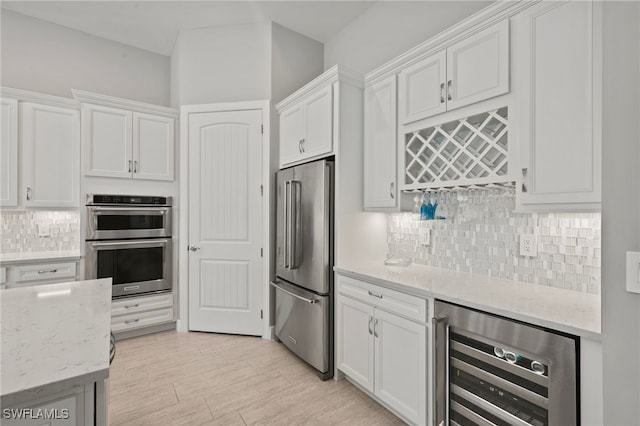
x: 137, y: 312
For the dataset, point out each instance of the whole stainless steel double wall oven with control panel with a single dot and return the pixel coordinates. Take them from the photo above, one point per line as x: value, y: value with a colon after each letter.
x: 129, y: 239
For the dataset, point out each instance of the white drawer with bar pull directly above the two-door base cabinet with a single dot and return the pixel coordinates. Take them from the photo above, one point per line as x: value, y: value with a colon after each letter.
x: 393, y: 301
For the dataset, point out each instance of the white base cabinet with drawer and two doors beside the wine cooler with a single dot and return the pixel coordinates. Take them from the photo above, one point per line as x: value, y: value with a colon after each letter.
x: 383, y: 348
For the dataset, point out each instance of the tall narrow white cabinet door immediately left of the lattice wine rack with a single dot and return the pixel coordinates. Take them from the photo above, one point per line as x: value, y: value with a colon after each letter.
x: 380, y: 145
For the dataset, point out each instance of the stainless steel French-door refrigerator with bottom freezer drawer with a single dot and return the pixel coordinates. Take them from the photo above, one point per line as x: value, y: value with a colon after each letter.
x: 304, y: 263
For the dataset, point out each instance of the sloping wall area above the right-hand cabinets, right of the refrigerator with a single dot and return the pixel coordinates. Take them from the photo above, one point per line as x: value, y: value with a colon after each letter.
x: 389, y: 28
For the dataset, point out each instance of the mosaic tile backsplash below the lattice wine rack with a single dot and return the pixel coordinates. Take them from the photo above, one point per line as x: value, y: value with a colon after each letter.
x: 481, y: 234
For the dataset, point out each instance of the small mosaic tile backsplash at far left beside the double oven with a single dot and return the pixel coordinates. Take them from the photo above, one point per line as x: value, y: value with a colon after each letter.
x: 20, y: 231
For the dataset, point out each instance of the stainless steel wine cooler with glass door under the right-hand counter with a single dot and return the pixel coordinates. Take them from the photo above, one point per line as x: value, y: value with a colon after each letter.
x: 490, y: 370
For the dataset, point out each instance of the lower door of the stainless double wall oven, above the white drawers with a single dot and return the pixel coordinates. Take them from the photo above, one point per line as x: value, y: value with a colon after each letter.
x: 135, y: 266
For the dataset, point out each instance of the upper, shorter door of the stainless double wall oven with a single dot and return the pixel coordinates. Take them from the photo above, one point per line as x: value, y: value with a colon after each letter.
x: 127, y: 222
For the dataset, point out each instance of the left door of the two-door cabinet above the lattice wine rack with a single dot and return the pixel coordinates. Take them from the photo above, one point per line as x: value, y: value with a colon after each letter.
x: 422, y: 89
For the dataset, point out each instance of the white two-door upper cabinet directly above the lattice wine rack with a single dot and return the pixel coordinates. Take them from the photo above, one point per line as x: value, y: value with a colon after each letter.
x: 472, y: 70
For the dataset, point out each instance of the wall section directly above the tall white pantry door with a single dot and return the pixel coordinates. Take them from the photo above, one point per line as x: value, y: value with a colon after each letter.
x: 221, y: 64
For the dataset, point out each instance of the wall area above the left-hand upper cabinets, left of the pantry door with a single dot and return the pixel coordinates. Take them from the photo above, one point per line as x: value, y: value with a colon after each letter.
x: 43, y: 57
